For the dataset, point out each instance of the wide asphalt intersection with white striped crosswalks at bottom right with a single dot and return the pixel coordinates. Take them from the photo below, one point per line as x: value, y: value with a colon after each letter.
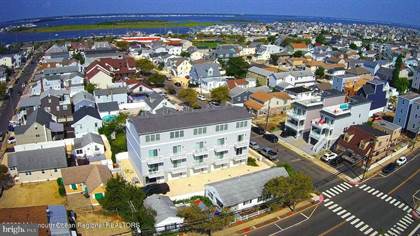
x: 359, y: 210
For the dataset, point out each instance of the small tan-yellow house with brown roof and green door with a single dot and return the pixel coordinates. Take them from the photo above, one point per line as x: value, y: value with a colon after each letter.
x: 87, y: 179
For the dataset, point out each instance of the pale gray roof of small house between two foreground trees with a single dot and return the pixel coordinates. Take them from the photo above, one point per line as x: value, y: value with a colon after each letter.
x: 162, y: 205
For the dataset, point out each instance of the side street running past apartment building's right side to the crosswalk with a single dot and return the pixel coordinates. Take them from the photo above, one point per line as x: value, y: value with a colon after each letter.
x: 321, y: 178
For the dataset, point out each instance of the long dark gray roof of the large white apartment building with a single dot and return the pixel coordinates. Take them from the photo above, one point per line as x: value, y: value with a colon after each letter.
x: 181, y: 120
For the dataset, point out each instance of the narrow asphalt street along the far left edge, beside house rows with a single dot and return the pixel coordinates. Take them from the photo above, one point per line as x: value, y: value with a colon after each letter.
x: 8, y: 108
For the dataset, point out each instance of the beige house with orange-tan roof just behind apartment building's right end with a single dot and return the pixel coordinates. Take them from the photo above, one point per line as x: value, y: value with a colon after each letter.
x: 261, y: 103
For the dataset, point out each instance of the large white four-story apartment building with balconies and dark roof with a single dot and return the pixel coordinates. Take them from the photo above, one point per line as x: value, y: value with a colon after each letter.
x: 180, y: 144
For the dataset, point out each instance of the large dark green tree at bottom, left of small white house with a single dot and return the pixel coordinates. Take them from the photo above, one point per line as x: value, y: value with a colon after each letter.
x: 127, y: 200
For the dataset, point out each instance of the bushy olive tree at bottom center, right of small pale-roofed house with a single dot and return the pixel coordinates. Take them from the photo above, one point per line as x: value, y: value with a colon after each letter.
x: 204, y: 221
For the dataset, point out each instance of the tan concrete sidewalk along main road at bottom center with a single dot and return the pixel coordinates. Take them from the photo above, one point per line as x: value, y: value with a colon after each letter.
x: 242, y: 228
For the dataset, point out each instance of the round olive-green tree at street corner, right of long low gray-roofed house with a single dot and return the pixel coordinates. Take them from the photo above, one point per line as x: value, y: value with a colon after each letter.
x: 288, y: 191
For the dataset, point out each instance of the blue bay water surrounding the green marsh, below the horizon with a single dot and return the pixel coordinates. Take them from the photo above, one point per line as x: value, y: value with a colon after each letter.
x: 10, y: 37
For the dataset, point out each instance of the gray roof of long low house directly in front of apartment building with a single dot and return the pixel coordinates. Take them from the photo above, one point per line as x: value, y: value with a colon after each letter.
x: 246, y: 187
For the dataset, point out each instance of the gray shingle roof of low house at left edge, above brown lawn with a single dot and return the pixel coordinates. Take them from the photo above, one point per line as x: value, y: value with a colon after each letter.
x: 39, y: 159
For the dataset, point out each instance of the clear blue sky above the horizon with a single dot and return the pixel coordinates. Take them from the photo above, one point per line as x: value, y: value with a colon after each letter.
x: 389, y: 11
